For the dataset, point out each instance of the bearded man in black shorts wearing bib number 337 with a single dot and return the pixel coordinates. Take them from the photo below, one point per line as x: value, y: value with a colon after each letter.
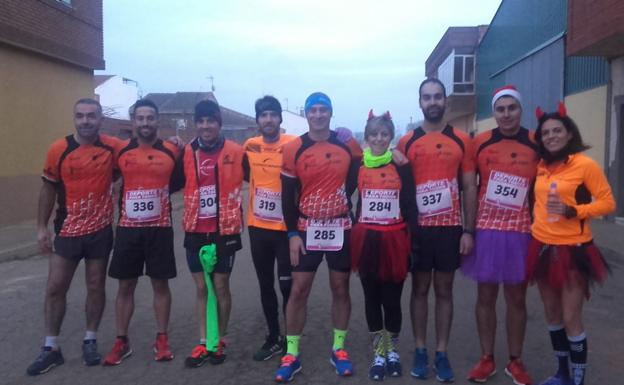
x: 444, y: 173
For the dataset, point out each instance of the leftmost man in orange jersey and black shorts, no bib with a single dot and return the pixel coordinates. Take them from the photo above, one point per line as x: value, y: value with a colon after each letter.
x: 78, y: 173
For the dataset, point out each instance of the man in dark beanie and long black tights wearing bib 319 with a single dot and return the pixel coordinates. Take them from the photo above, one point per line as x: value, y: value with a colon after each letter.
x: 267, y: 230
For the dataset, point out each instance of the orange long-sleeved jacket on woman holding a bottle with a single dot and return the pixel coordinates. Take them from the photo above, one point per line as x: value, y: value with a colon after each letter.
x: 580, y: 184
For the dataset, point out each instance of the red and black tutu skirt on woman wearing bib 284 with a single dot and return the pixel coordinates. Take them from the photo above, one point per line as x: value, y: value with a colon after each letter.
x: 381, y: 251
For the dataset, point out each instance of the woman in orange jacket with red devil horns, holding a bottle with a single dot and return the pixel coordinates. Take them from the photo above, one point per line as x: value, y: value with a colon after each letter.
x: 570, y: 189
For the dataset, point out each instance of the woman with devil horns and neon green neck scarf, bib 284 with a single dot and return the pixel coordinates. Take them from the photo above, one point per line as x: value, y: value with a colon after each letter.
x: 380, y: 240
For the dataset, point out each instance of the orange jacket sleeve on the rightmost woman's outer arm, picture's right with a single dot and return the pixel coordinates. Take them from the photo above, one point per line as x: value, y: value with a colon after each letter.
x: 597, y: 184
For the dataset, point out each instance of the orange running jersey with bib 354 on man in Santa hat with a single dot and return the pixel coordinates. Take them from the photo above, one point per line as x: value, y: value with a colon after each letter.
x: 507, y: 167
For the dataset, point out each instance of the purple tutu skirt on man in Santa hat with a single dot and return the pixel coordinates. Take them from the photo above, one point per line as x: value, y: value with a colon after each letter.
x: 498, y: 257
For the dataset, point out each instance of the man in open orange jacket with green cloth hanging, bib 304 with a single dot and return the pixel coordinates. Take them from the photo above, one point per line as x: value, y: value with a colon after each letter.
x: 212, y: 172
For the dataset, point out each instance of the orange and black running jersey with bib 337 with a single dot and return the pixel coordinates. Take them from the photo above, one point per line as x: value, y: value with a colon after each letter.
x: 438, y: 159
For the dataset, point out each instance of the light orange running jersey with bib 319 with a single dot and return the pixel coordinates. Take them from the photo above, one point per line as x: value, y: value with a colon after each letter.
x: 265, y: 186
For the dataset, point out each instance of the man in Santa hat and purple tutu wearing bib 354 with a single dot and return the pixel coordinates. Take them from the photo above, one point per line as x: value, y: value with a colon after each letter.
x: 506, y: 159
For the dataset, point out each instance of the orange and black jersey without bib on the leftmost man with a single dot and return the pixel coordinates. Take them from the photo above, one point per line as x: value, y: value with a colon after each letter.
x: 82, y: 176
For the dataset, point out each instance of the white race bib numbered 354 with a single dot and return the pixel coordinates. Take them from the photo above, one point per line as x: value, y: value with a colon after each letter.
x: 507, y: 190
